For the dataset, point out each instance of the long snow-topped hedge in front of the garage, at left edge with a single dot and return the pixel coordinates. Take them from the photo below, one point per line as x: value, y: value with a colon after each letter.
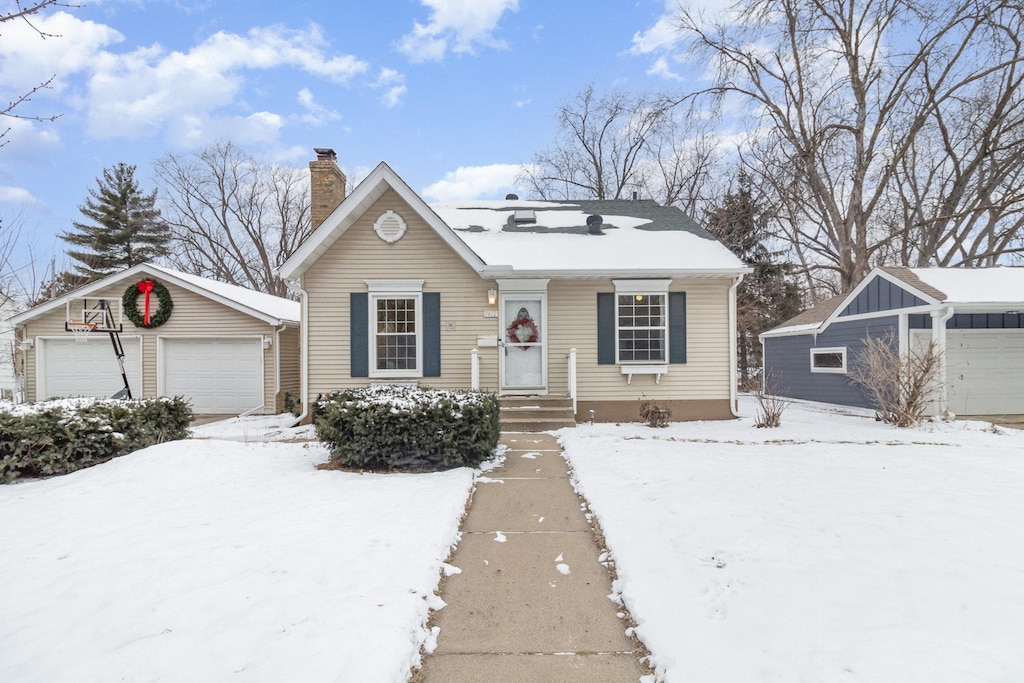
x: 61, y: 437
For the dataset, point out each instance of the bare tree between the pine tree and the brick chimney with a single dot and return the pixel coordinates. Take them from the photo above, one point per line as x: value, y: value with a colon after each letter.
x: 233, y: 219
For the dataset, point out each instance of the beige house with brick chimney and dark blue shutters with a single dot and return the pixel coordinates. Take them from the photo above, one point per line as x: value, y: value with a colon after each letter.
x: 608, y: 303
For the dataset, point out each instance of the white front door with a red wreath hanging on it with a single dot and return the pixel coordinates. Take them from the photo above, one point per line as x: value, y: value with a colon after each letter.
x: 524, y: 357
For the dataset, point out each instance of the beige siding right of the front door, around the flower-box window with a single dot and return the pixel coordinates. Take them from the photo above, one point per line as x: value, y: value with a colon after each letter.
x: 573, y: 315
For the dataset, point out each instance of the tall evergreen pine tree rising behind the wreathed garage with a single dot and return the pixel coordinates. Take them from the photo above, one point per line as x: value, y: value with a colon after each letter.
x: 125, y: 229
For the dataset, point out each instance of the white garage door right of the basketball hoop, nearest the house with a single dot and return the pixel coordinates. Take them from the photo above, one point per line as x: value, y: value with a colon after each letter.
x: 220, y: 376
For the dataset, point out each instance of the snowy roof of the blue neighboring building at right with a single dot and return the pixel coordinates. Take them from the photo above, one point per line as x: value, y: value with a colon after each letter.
x: 964, y: 287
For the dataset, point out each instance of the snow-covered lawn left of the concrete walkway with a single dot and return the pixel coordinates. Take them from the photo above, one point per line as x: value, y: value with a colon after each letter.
x: 215, y: 561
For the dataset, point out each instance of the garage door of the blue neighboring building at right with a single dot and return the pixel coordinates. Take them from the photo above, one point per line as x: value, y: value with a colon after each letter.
x: 986, y: 369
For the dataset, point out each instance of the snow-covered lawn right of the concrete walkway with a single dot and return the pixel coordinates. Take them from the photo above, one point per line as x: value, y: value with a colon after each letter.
x: 831, y: 549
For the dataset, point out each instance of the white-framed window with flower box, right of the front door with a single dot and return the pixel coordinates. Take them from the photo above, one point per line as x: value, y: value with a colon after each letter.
x: 643, y: 322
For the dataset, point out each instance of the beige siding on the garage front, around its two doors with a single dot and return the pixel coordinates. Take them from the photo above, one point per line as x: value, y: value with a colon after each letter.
x: 194, y: 316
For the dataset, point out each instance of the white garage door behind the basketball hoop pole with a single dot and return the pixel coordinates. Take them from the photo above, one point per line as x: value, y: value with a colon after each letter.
x: 90, y: 369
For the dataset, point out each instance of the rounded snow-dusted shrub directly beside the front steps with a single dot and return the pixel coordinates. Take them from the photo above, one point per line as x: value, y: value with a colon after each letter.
x: 410, y: 430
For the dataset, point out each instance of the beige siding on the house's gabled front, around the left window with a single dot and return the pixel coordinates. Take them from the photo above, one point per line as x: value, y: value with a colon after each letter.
x: 421, y: 254
